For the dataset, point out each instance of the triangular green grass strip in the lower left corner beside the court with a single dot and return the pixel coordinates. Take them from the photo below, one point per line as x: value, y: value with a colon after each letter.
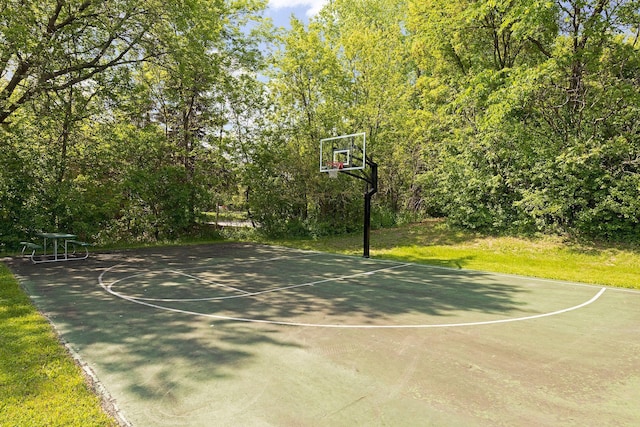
x: 40, y: 384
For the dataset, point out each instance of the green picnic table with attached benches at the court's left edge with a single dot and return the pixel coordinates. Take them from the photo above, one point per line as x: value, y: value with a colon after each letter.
x: 61, y: 243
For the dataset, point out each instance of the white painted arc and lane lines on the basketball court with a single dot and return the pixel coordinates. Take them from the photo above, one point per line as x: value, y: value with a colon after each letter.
x: 141, y: 301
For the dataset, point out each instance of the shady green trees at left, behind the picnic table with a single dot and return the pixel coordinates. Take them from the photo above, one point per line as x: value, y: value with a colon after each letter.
x: 112, y: 108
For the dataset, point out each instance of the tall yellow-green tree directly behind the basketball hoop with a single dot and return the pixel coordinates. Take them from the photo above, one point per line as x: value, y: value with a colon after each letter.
x: 347, y: 72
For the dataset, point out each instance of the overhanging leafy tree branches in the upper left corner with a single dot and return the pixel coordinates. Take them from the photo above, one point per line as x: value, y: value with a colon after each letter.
x: 56, y: 45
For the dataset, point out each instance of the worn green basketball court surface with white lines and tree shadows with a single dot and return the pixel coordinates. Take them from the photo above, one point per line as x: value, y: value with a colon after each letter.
x: 239, y: 334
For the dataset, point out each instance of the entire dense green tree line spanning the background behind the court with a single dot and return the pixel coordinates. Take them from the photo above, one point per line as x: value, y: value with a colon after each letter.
x: 127, y: 119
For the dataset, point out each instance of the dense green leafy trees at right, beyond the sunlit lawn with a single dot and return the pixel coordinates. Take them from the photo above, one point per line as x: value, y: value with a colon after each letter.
x: 532, y: 137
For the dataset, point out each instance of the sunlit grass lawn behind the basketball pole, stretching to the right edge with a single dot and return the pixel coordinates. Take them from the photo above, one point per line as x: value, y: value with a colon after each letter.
x: 432, y: 242
